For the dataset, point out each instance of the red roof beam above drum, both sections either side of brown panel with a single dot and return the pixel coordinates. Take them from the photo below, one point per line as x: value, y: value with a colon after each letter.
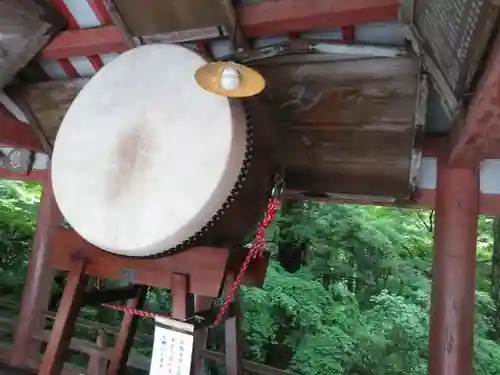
x: 265, y: 18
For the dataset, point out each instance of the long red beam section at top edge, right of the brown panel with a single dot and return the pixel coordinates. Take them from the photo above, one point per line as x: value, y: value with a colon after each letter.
x: 279, y: 17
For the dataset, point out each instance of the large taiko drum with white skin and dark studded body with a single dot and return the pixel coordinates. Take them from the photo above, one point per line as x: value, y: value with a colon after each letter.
x: 147, y: 163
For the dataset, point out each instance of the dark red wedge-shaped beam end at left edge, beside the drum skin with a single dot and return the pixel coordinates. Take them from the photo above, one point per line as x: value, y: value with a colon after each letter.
x: 15, y: 133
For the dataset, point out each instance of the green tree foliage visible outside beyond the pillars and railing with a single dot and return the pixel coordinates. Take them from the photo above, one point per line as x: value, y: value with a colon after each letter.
x: 358, y: 306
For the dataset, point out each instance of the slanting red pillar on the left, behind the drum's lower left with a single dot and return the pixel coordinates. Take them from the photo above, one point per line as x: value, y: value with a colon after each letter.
x: 39, y: 278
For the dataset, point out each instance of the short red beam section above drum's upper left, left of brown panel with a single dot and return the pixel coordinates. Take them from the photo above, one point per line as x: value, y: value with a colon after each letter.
x: 86, y: 42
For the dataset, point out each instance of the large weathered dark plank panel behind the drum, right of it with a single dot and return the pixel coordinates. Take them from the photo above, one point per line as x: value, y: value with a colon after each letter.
x: 347, y: 126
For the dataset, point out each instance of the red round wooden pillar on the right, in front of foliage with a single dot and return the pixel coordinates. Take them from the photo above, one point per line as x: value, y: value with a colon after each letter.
x: 453, y: 286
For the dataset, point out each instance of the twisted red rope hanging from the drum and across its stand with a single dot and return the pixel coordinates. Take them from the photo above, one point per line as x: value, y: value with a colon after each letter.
x: 256, y: 251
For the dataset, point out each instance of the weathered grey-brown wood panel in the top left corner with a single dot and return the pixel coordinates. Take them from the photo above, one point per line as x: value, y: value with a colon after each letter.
x: 26, y: 26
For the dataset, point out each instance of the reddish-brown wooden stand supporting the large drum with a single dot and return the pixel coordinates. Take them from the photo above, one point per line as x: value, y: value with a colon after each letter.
x: 200, y: 271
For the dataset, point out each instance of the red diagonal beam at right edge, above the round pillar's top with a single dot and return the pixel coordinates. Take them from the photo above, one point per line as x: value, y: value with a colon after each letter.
x: 478, y: 134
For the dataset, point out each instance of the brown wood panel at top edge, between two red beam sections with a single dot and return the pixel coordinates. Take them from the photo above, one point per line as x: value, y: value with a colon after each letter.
x: 148, y: 17
